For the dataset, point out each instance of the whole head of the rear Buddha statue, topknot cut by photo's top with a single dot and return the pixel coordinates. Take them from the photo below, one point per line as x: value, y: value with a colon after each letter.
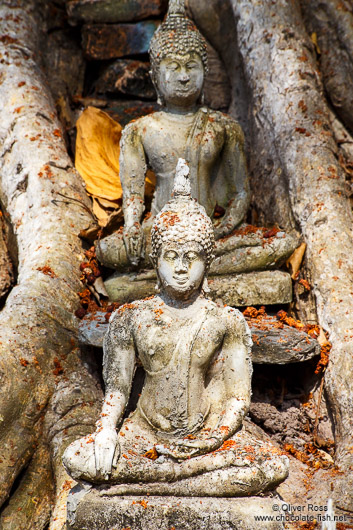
x: 178, y: 57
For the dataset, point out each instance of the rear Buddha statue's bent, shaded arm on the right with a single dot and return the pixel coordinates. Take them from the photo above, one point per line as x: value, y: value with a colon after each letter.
x: 235, y: 172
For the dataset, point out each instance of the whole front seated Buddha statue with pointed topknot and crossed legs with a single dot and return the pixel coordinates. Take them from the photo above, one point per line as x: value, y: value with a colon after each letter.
x: 187, y: 435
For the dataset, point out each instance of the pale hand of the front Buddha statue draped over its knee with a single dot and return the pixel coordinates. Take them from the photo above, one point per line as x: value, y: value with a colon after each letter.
x: 106, y: 450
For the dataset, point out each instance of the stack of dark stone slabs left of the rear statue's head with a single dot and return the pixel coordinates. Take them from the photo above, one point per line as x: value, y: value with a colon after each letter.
x: 115, y: 37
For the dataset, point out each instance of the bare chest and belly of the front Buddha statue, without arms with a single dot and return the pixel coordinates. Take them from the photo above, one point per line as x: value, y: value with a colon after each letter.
x: 190, y: 345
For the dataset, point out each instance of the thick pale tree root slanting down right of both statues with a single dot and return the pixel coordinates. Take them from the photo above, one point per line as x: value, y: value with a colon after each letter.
x: 292, y: 118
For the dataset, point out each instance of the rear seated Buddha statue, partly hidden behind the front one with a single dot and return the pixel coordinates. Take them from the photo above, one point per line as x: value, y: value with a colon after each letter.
x: 213, y: 145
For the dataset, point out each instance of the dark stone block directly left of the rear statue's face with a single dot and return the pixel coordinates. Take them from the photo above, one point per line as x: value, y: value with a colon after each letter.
x: 128, y: 77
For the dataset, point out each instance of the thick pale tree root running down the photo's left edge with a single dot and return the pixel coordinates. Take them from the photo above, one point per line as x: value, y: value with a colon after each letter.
x: 38, y: 329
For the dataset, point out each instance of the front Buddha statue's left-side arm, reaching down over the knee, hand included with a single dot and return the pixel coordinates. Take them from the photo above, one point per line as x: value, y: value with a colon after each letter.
x: 118, y: 370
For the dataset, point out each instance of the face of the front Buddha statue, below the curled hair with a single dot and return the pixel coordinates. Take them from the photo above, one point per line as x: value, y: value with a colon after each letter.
x: 181, y: 269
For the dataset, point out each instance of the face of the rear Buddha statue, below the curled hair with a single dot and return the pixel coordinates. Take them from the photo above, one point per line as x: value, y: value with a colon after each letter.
x: 180, y: 79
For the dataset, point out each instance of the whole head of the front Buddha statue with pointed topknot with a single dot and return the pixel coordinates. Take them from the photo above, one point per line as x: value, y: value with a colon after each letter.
x: 182, y: 240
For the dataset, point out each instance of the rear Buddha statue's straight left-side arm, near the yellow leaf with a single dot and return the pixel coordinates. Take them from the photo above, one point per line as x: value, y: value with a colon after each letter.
x: 132, y: 176
